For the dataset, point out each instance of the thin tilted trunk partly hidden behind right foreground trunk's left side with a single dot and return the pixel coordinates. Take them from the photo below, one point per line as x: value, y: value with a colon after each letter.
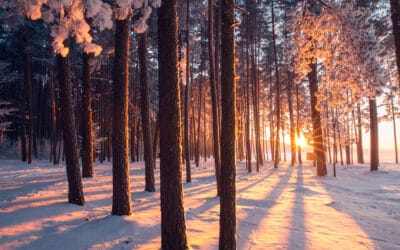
x: 214, y: 100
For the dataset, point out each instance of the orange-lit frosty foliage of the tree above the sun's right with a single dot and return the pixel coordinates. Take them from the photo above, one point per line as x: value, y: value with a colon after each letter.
x: 342, y: 41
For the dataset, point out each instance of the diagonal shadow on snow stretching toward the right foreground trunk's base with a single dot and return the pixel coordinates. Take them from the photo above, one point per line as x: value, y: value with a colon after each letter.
x: 269, y: 201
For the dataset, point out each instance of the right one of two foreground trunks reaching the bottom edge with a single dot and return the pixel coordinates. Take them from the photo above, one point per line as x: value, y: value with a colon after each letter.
x: 227, y: 235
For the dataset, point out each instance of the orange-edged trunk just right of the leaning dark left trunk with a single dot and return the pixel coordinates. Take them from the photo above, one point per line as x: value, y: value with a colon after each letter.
x: 87, y: 135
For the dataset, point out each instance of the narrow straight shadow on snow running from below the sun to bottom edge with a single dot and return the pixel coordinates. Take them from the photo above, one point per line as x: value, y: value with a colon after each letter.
x: 297, y: 236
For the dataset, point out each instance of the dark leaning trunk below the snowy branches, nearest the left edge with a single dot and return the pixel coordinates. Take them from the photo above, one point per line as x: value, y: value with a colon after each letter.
x: 75, y: 191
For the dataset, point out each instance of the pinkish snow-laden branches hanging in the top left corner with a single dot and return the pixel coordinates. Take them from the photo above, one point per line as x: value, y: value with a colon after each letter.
x: 70, y: 18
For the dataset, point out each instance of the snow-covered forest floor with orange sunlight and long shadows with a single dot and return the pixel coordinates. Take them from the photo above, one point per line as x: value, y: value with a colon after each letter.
x: 287, y: 208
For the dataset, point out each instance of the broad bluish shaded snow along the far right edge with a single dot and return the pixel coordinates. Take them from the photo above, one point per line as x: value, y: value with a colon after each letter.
x: 370, y: 214
